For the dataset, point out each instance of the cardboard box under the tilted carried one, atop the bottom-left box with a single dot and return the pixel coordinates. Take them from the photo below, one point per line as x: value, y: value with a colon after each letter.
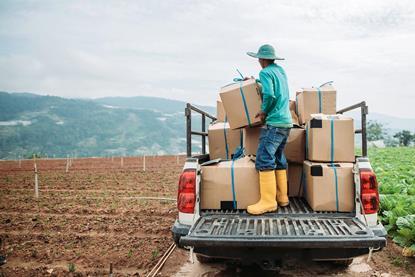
x: 223, y: 141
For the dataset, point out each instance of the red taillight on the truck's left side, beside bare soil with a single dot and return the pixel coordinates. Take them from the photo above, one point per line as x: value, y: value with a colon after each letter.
x: 186, y: 196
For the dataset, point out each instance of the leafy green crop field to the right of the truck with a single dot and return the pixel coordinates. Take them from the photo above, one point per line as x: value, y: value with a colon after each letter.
x: 395, y: 171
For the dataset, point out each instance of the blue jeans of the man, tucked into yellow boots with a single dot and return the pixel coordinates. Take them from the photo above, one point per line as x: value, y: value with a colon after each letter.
x: 270, y: 152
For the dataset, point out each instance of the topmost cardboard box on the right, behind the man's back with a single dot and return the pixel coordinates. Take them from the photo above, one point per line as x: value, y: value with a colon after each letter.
x: 315, y: 100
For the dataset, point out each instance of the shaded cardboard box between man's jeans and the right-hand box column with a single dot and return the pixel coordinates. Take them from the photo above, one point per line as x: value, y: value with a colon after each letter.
x: 295, y: 148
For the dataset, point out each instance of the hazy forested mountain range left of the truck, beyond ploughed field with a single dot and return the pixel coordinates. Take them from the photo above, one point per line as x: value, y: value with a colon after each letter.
x: 56, y: 126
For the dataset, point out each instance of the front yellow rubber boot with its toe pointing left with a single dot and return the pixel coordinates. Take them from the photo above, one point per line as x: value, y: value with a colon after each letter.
x: 268, y: 191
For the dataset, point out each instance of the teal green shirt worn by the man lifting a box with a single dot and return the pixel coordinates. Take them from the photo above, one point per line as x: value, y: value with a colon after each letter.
x: 275, y: 96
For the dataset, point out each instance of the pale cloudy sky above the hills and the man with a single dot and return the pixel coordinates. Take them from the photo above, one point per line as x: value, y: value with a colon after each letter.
x: 187, y: 50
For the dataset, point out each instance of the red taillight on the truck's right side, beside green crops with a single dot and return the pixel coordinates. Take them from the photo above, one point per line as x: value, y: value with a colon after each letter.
x: 369, y: 191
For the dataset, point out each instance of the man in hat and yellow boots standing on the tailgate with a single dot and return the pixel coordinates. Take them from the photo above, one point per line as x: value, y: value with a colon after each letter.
x: 275, y: 112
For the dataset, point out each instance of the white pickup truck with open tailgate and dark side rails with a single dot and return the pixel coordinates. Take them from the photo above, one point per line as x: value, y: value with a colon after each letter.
x: 295, y: 231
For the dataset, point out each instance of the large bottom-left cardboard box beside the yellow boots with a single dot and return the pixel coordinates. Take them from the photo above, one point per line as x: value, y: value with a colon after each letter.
x: 216, y: 186
